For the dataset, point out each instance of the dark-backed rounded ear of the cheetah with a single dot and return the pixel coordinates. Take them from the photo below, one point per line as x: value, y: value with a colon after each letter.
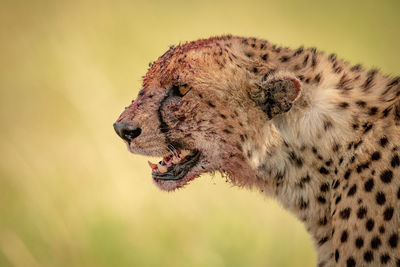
x: 276, y: 94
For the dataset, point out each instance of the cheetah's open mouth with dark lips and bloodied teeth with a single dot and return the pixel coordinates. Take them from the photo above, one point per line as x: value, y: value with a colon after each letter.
x: 176, y: 166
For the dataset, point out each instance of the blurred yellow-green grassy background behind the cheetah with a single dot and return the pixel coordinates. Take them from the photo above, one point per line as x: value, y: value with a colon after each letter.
x: 72, y: 195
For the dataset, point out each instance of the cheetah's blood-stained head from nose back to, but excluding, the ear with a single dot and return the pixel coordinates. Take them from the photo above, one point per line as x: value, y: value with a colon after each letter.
x: 195, y: 111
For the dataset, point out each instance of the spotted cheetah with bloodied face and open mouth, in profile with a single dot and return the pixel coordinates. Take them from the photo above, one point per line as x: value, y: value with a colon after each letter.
x: 307, y: 128
